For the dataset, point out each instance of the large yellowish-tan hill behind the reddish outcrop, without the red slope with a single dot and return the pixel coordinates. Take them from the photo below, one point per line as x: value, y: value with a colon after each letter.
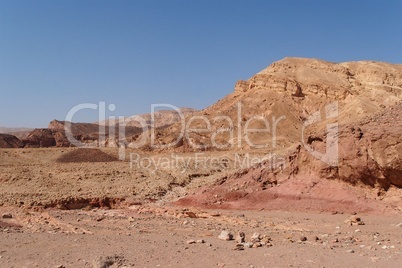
x: 293, y: 89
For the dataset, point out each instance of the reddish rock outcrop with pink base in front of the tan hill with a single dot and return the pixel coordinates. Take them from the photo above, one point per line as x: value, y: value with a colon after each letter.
x: 368, y: 169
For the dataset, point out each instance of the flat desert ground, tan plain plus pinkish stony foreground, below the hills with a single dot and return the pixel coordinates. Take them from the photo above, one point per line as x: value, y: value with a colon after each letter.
x: 63, y: 208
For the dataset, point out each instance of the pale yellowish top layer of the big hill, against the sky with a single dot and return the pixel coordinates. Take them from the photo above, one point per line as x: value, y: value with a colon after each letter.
x: 325, y: 79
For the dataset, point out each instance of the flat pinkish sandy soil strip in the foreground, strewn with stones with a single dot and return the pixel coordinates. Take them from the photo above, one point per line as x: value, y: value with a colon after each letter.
x: 157, y: 237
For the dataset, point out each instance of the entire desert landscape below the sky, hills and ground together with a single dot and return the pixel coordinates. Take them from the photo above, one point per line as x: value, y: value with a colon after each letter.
x: 319, y: 184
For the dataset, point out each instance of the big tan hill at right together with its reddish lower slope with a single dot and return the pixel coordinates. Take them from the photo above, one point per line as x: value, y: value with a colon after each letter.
x: 356, y: 106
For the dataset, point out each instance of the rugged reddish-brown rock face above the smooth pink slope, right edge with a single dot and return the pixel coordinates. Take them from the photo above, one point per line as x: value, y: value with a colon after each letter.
x: 369, y: 151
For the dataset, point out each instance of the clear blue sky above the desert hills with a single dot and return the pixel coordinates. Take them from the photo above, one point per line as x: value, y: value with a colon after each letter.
x: 57, y: 54
